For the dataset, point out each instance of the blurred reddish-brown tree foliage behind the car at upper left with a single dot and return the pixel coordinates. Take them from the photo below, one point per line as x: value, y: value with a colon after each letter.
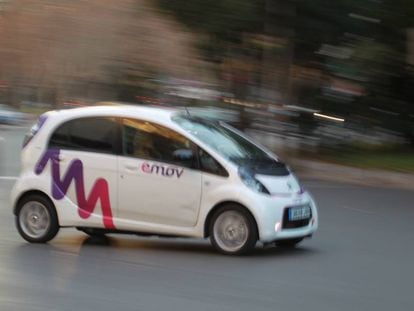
x: 94, y: 50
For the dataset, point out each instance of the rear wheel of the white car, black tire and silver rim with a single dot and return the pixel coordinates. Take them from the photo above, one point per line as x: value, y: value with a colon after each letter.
x: 36, y: 219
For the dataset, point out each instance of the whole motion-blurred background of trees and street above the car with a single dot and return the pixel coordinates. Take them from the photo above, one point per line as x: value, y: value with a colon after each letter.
x: 319, y: 80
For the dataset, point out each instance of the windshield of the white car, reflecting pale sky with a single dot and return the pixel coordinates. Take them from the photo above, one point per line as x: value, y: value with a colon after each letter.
x: 223, y: 139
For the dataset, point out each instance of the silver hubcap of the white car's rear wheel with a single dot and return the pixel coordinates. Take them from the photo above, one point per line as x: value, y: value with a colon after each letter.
x: 34, y: 219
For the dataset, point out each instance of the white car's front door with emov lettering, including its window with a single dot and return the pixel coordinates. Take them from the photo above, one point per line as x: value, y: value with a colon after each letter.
x: 155, y: 185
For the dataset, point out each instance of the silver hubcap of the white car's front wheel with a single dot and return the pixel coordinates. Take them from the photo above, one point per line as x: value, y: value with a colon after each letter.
x: 231, y: 231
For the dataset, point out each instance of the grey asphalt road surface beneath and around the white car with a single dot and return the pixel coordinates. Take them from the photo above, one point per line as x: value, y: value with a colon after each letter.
x: 361, y: 259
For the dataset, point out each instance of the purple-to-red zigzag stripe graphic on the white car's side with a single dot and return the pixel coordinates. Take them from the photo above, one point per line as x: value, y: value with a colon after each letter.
x: 99, y: 190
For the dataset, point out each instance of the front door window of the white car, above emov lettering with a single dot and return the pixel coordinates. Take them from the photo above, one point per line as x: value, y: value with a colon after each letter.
x: 146, y: 140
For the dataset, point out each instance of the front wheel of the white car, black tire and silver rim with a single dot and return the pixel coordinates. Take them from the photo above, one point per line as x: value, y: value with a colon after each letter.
x: 233, y: 230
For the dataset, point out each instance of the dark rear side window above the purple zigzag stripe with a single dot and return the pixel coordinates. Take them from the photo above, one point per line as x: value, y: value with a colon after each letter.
x: 98, y: 134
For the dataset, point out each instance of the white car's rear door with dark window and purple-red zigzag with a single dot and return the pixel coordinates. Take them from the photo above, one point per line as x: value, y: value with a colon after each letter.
x: 83, y: 156
